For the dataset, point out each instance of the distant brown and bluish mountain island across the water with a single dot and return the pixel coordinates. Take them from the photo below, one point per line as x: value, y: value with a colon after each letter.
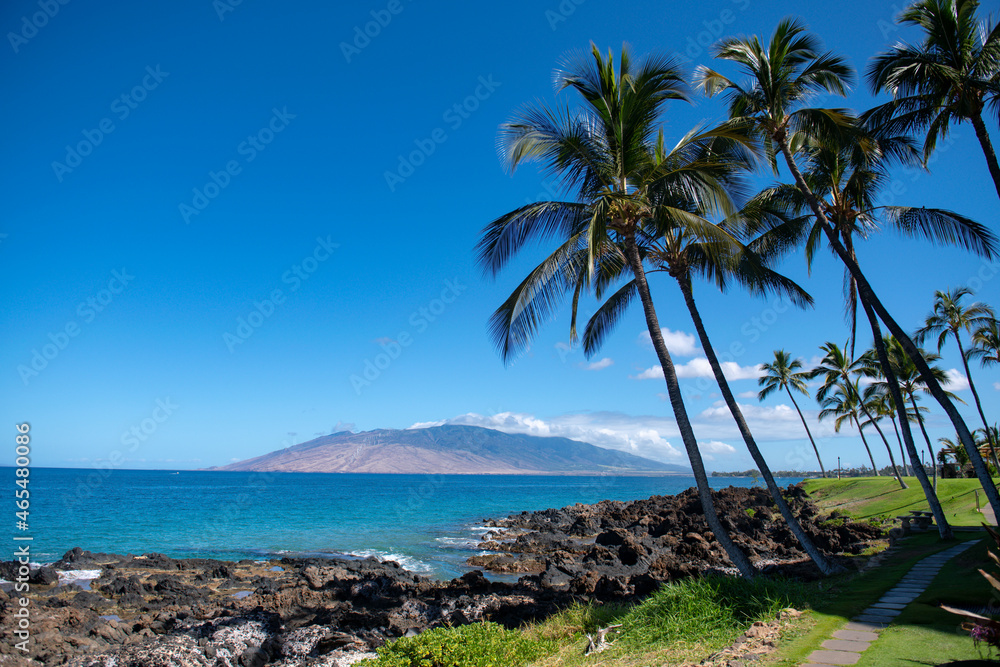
x: 452, y: 450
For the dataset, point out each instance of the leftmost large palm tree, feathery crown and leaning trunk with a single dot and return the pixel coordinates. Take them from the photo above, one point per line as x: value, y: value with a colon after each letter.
x: 605, y: 151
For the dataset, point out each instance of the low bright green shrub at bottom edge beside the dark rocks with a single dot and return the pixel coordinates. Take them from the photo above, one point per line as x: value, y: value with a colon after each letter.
x: 476, y: 645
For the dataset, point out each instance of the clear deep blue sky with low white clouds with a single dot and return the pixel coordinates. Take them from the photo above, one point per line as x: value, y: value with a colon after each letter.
x: 218, y: 216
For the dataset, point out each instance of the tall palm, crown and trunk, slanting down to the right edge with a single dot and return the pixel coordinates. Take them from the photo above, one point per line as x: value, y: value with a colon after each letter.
x: 783, y: 76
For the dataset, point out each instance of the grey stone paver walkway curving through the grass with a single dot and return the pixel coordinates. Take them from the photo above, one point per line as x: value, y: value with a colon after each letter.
x: 846, y: 646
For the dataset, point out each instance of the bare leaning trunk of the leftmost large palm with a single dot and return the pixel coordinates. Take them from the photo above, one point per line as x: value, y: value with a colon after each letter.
x: 735, y: 554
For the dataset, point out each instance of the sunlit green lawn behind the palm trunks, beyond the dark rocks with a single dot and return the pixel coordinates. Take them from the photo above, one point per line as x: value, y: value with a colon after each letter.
x: 866, y: 497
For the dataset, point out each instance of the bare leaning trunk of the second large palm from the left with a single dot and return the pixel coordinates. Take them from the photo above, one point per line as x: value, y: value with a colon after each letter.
x: 786, y: 512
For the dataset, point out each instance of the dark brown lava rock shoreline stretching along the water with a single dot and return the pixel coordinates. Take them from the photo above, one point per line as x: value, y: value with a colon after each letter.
x: 157, y: 611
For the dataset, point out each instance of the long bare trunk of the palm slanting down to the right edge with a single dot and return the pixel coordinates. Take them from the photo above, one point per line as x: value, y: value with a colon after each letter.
x: 866, y: 292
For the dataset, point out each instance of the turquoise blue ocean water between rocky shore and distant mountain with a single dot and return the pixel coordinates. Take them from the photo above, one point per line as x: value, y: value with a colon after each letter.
x: 430, y: 523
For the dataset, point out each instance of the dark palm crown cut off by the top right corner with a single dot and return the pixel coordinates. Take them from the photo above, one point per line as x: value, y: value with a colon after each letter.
x: 950, y: 77
